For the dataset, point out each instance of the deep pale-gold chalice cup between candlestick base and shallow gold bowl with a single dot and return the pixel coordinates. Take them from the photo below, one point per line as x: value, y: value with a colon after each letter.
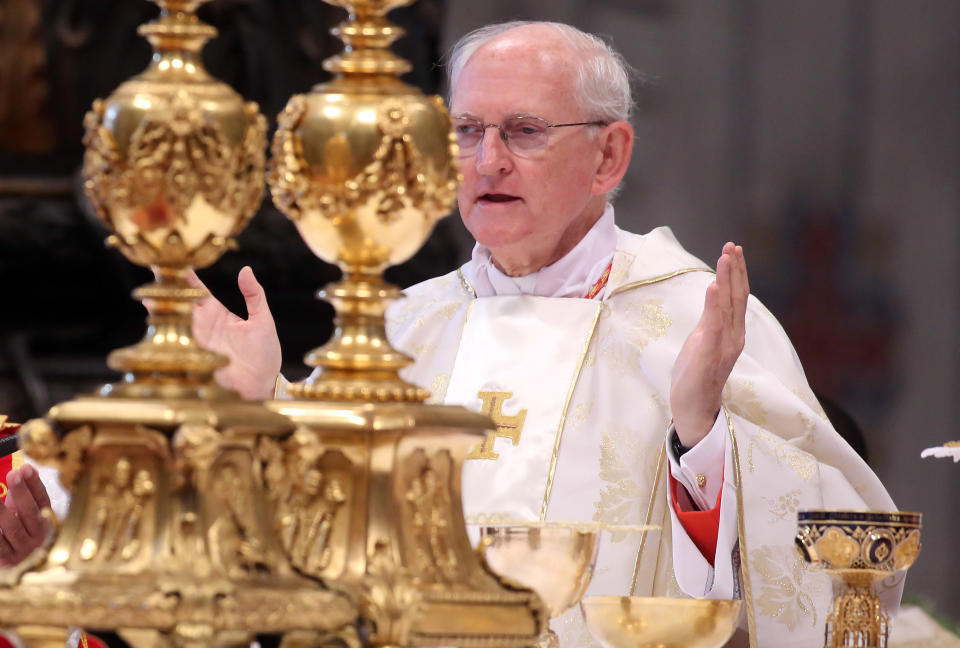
x: 553, y: 559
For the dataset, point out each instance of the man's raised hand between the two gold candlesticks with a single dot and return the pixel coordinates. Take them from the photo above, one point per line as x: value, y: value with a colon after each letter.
x: 251, y: 344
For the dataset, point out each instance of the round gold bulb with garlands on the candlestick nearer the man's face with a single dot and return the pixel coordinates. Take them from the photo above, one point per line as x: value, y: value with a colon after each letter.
x: 364, y: 171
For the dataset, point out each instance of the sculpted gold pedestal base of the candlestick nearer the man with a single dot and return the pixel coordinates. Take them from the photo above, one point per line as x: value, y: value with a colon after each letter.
x: 369, y: 501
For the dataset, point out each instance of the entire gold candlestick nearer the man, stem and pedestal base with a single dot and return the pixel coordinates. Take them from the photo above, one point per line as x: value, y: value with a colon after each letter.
x: 366, y: 493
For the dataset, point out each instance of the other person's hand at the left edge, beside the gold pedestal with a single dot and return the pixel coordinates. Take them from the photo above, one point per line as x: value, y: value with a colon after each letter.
x: 22, y: 527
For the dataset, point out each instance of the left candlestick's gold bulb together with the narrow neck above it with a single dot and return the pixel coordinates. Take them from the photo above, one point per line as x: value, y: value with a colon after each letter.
x: 175, y: 159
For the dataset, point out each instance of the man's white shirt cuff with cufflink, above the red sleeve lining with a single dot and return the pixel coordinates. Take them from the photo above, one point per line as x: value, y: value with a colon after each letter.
x: 700, y: 469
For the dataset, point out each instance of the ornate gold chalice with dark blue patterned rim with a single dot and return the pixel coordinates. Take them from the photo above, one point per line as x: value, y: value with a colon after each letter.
x: 858, y: 549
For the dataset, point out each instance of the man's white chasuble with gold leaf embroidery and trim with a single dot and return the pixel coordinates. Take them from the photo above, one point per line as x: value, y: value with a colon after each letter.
x: 599, y: 456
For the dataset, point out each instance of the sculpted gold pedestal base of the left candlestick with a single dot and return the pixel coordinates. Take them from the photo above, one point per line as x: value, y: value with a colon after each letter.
x: 168, y: 529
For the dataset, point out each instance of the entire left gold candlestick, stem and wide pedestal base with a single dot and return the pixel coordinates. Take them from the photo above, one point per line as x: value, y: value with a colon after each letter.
x: 169, y: 538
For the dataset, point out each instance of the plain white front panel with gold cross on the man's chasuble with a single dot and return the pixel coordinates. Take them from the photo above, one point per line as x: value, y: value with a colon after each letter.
x: 518, y: 362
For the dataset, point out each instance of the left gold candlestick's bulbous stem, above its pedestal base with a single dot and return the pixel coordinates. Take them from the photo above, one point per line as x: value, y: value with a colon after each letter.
x: 174, y: 168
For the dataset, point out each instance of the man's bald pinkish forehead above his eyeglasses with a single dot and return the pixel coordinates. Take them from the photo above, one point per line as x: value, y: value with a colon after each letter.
x: 518, y: 73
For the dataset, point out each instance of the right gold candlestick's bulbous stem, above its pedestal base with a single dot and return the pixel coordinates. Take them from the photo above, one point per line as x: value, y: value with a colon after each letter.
x: 364, y: 165
